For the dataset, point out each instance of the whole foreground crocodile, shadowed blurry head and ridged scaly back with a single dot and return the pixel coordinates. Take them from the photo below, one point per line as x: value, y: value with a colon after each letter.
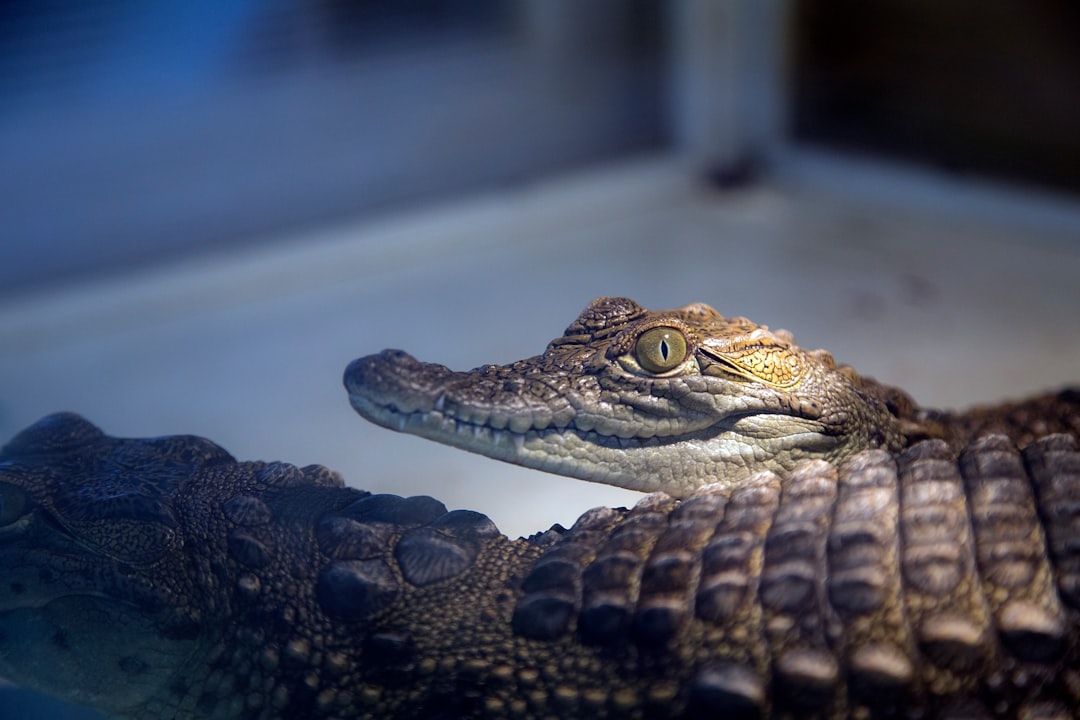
x: 163, y: 579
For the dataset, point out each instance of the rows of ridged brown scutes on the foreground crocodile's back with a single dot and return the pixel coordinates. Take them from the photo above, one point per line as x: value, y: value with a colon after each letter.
x: 931, y: 585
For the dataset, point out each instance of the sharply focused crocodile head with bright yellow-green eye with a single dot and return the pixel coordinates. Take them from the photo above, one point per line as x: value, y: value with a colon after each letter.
x: 649, y: 401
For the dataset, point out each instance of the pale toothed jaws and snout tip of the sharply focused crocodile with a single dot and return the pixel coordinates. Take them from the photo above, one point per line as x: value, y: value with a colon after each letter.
x: 396, y: 391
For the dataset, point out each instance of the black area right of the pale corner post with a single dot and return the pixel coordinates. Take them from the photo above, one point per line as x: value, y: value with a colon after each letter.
x: 969, y: 87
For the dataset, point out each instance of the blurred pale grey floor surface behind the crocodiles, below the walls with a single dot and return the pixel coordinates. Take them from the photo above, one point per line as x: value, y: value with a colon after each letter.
x: 249, y: 348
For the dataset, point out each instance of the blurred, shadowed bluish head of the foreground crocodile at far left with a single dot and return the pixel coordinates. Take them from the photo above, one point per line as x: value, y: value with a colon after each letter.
x: 91, y: 551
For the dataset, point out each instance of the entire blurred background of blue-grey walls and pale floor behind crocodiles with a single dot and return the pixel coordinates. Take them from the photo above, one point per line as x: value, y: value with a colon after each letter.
x: 209, y: 209
